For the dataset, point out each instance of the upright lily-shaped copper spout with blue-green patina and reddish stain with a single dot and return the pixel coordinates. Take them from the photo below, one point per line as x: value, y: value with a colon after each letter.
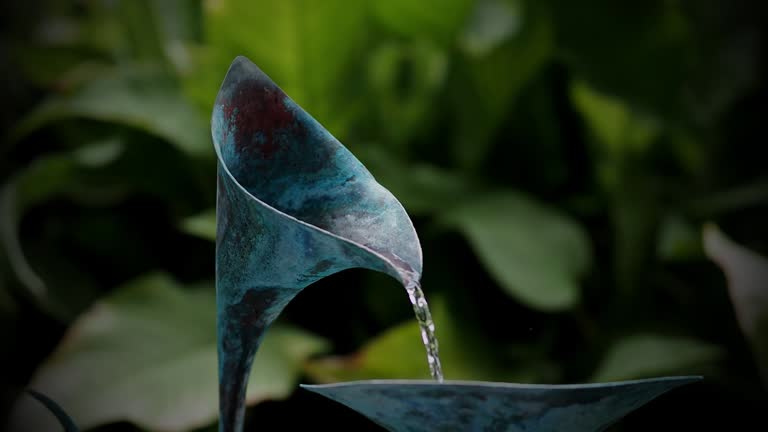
x: 293, y: 206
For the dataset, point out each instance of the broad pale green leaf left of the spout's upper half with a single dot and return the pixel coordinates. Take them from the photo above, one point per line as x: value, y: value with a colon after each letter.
x: 147, y: 101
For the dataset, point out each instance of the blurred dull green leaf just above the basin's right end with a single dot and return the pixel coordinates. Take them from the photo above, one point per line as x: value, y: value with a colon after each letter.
x: 648, y: 355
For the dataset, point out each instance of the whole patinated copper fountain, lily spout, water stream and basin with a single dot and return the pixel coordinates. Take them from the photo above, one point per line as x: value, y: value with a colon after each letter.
x: 295, y: 206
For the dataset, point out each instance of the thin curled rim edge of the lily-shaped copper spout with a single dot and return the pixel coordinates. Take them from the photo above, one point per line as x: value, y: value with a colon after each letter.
x: 400, y: 272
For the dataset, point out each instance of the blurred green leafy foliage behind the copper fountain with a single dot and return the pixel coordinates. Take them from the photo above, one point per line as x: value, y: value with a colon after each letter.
x: 559, y: 160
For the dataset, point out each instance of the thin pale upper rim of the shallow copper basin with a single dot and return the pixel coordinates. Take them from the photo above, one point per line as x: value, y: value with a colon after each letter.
x: 680, y: 380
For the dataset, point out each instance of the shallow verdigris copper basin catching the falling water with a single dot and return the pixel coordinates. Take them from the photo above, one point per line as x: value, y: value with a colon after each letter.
x: 422, y: 406
